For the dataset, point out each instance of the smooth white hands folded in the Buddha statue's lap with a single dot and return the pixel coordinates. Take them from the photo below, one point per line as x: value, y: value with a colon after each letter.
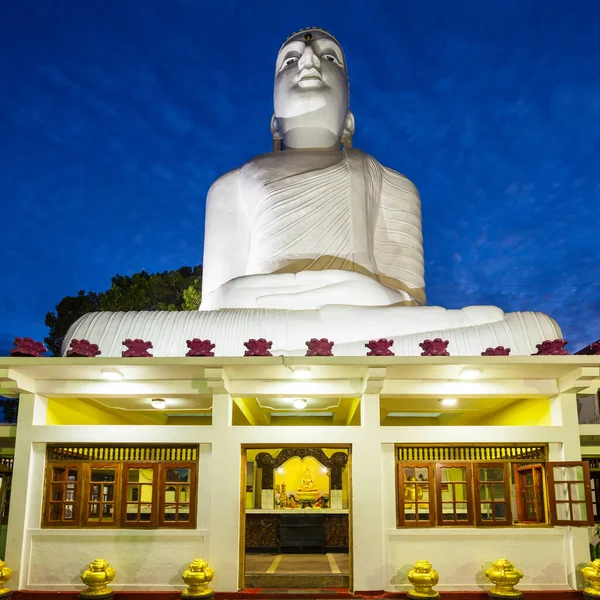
x: 303, y: 291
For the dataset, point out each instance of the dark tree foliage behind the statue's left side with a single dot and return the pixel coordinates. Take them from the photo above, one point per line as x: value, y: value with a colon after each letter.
x: 170, y: 290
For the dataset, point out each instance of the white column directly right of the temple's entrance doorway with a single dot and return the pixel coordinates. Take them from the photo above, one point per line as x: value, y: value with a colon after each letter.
x: 367, y: 507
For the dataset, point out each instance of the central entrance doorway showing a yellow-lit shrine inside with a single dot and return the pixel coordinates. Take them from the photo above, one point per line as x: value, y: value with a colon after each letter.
x: 296, y: 519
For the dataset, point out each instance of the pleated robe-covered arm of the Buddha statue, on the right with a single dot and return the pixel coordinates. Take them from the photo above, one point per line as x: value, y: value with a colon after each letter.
x: 398, y: 243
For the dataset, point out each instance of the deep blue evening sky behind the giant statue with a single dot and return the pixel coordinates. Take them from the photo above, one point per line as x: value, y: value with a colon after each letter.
x: 117, y: 115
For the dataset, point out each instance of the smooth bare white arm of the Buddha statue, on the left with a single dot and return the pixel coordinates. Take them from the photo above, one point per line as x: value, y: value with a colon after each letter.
x: 227, y: 234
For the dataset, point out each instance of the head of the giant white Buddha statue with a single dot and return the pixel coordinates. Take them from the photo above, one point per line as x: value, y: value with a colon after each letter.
x: 311, y: 95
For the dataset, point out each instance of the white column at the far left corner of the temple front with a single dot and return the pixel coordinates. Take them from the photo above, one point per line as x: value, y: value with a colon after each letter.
x: 27, y: 483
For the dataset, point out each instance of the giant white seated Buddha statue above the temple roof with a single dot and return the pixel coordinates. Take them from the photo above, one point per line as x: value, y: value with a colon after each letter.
x: 315, y: 239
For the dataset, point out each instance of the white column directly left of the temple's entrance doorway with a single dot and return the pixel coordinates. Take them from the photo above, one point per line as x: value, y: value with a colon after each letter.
x: 224, y: 481
